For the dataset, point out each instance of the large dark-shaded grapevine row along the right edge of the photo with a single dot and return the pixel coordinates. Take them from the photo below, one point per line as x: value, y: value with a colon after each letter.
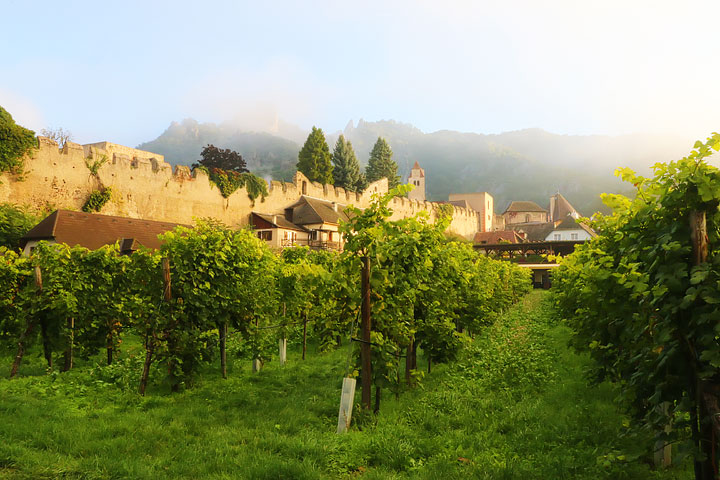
x: 640, y: 306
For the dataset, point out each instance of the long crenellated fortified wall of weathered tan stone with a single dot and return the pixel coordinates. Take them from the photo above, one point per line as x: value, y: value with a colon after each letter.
x: 145, y: 186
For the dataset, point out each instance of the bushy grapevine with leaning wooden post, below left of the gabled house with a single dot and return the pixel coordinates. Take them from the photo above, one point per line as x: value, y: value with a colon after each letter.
x: 208, y: 264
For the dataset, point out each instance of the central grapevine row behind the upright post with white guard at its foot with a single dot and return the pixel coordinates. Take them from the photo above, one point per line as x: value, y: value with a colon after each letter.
x: 425, y: 290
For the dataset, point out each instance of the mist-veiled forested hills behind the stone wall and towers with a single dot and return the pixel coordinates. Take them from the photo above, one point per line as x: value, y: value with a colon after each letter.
x: 529, y: 164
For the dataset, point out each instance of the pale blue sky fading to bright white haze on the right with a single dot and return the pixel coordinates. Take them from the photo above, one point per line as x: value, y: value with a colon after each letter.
x: 122, y: 71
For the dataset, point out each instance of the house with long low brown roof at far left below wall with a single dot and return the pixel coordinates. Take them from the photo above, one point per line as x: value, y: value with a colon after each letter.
x: 92, y: 231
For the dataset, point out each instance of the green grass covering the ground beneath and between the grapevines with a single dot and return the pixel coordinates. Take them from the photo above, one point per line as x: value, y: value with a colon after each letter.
x: 515, y: 407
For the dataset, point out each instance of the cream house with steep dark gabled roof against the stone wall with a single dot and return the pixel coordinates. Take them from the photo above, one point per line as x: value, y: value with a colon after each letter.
x: 309, y: 221
